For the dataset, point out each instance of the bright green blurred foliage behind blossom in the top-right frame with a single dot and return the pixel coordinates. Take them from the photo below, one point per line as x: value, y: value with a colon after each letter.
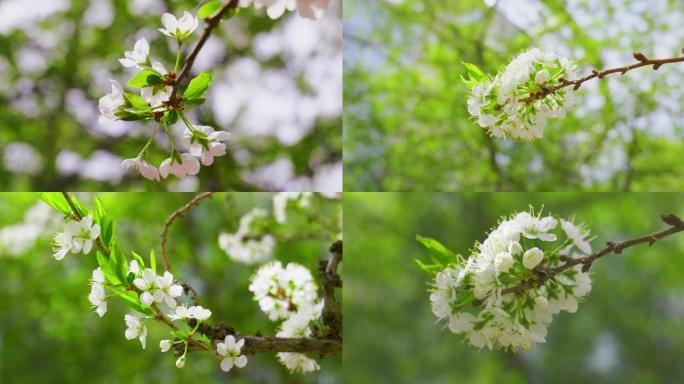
x: 406, y: 123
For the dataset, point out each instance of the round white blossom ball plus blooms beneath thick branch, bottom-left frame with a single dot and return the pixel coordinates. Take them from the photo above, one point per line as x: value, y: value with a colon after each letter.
x: 289, y: 294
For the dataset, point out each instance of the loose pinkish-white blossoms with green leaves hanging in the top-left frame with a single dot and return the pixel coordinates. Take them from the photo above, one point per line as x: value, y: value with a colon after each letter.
x: 156, y: 100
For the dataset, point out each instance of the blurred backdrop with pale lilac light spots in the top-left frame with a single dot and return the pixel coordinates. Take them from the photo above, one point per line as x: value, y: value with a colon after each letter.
x: 277, y: 88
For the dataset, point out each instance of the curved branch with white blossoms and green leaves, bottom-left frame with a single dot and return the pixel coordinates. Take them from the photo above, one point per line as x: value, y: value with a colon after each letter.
x: 284, y: 293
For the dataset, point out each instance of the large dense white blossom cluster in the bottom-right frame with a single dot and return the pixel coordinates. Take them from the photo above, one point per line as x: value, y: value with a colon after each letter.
x: 470, y: 295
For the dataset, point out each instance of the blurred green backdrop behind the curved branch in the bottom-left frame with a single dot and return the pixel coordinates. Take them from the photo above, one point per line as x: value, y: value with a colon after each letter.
x: 49, y: 333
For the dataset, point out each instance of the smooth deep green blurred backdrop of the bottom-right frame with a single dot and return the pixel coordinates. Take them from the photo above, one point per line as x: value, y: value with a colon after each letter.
x: 629, y: 330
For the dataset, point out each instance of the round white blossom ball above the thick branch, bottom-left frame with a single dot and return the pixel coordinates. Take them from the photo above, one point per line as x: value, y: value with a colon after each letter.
x: 282, y: 291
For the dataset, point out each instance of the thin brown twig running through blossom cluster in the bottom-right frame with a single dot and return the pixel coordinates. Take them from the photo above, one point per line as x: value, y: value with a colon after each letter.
x: 616, y: 247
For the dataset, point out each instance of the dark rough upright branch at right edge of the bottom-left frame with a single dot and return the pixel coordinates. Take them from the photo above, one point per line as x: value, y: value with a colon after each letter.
x: 332, y: 311
